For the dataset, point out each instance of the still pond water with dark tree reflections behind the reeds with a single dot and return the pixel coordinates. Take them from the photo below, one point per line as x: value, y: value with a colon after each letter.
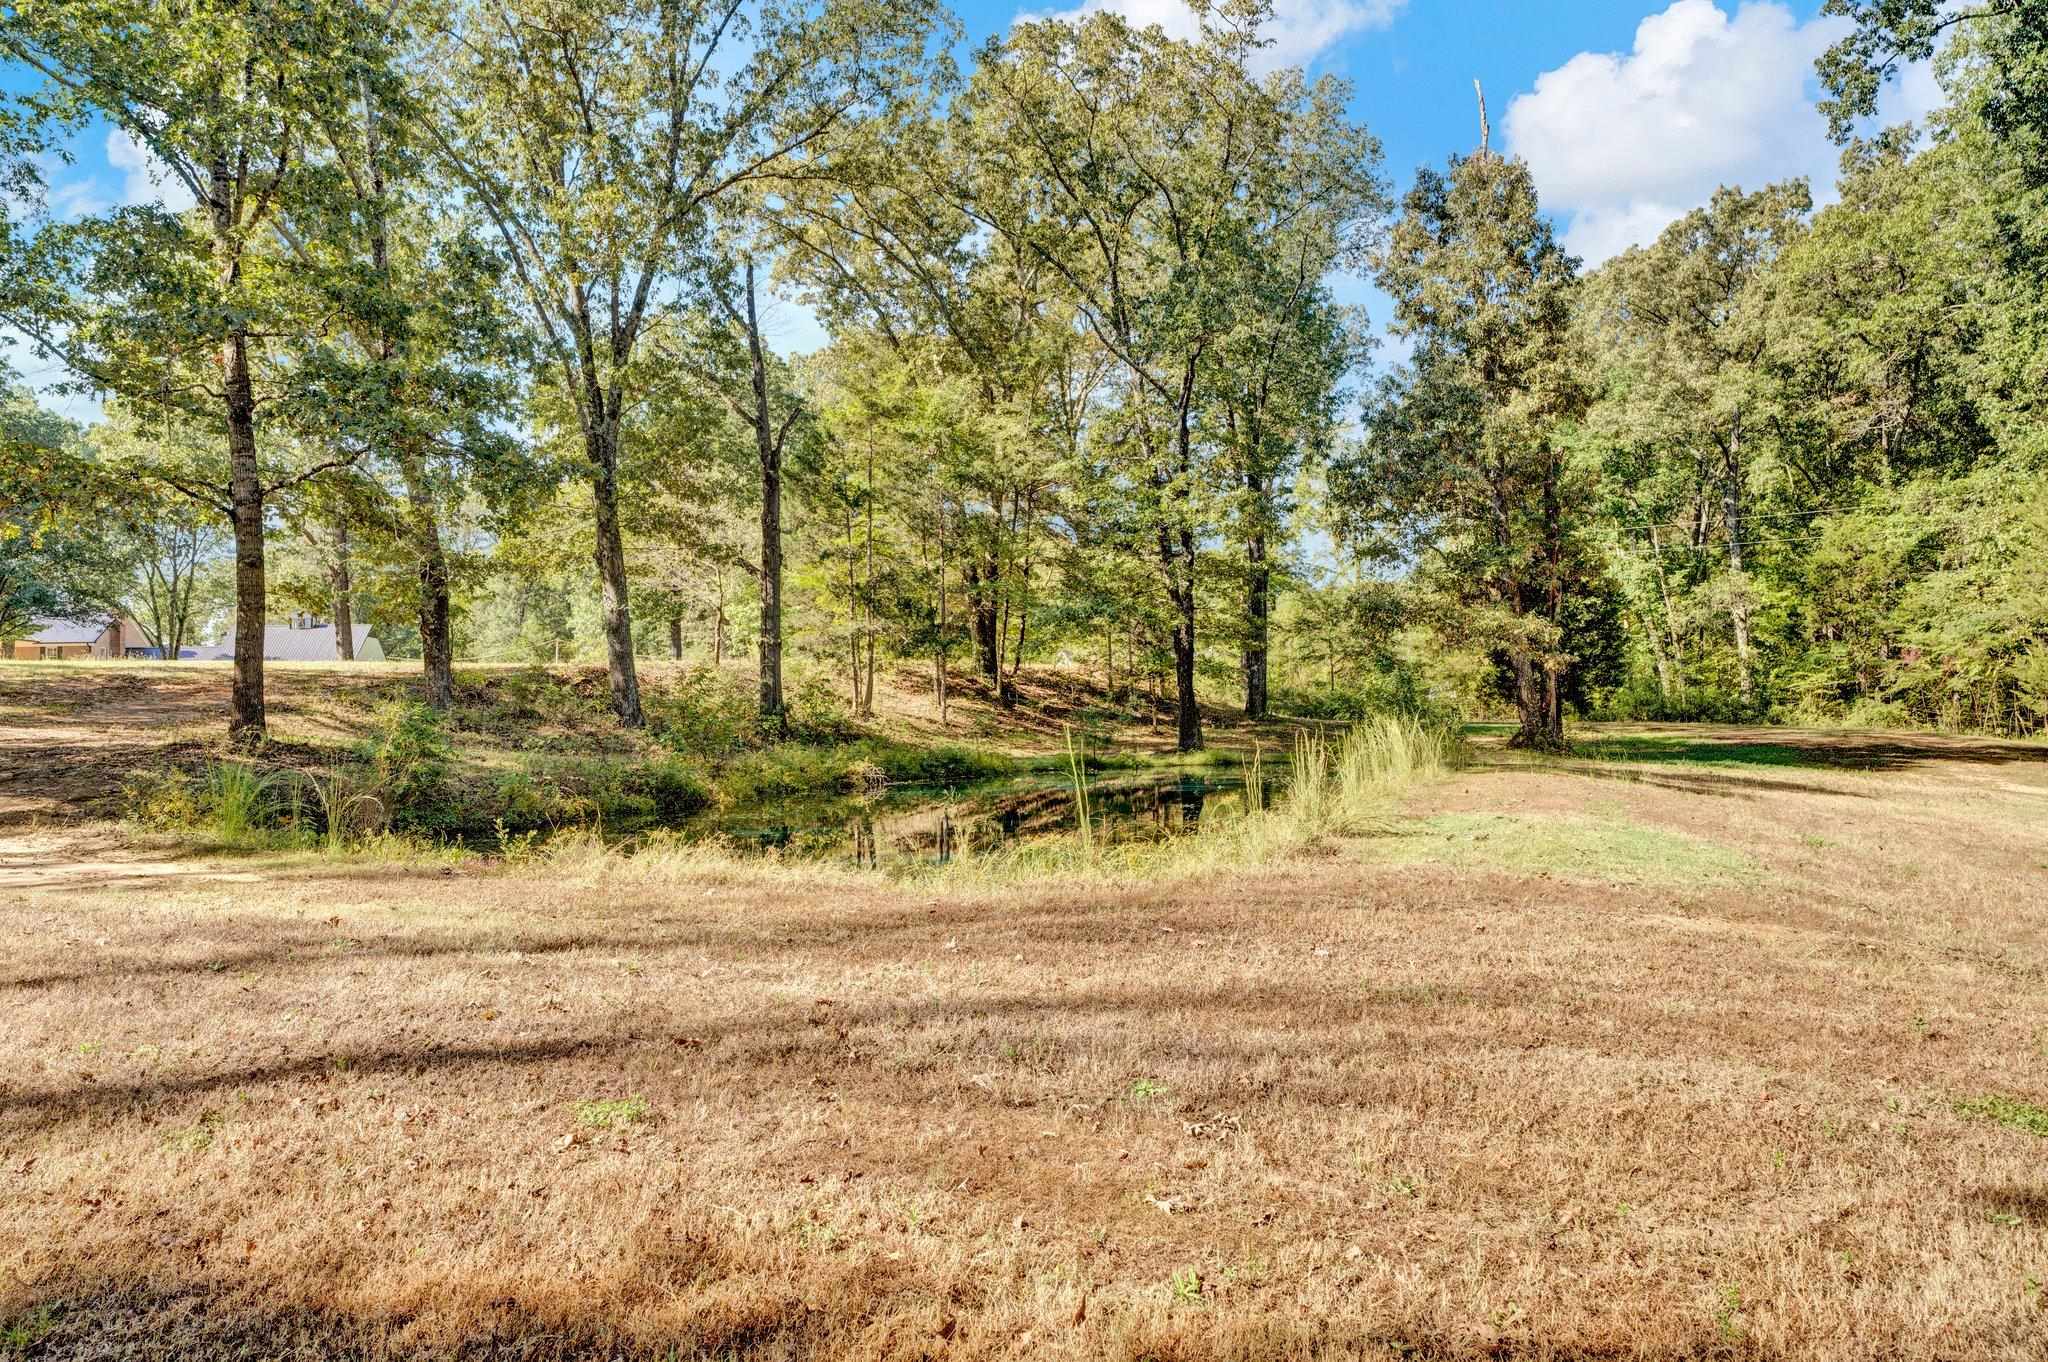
x: 929, y: 824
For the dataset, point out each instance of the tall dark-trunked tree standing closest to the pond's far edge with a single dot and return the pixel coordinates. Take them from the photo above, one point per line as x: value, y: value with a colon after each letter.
x: 1144, y: 171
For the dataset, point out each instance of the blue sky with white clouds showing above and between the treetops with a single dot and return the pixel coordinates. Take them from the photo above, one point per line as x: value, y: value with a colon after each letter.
x: 1627, y: 112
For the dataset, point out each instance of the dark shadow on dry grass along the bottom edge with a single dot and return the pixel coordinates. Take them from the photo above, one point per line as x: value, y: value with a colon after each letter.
x: 837, y: 1314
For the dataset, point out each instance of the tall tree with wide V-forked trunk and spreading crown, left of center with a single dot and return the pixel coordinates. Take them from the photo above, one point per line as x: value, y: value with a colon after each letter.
x: 599, y: 134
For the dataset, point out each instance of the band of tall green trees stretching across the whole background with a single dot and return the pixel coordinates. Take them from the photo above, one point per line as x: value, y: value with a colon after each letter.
x: 464, y: 333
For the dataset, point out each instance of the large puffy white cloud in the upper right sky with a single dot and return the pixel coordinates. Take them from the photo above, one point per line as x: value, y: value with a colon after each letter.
x: 1629, y: 142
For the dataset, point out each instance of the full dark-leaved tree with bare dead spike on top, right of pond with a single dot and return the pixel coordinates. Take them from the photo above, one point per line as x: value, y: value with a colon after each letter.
x: 1467, y: 454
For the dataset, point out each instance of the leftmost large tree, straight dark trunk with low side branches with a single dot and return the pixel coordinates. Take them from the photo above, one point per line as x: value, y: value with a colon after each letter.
x: 196, y: 310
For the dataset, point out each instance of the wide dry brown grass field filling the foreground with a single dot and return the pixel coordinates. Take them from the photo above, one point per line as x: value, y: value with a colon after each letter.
x: 1697, y: 1046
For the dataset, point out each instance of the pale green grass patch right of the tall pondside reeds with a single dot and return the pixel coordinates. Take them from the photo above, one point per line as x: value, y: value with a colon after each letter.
x: 1578, y: 847
